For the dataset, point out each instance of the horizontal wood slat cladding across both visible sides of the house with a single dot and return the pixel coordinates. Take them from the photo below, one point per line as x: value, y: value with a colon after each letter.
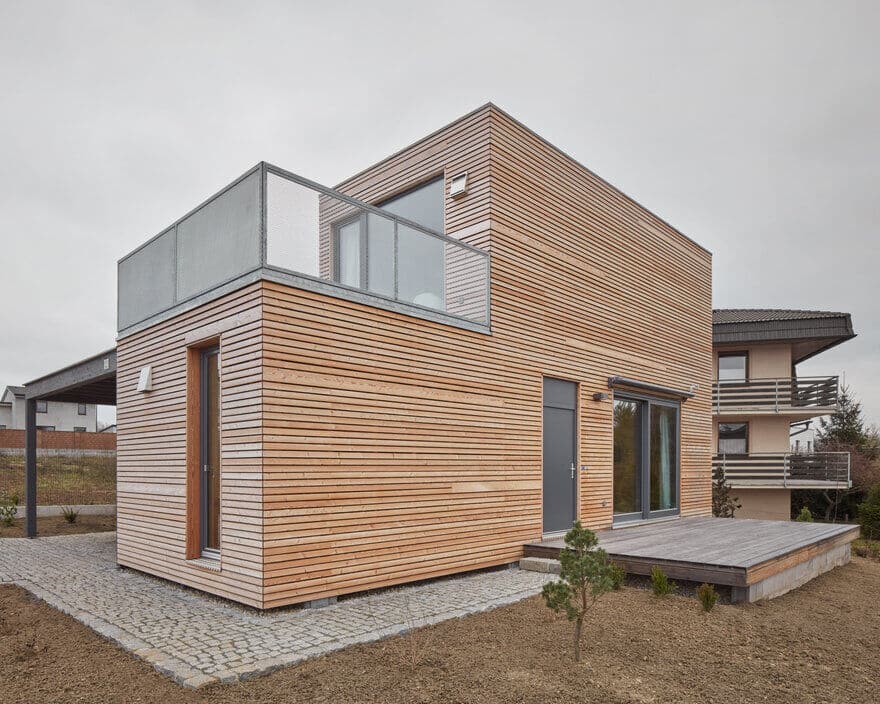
x: 364, y: 448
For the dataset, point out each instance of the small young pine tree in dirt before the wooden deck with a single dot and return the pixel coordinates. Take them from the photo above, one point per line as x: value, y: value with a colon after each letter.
x: 585, y: 576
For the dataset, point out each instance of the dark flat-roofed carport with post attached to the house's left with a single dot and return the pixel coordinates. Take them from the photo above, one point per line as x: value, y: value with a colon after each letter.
x: 92, y: 380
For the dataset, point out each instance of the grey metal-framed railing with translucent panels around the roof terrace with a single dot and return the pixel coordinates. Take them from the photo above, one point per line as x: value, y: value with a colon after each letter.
x: 273, y: 225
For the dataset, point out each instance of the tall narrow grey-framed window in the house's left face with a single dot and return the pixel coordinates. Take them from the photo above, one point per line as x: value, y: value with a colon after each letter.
x: 210, y: 452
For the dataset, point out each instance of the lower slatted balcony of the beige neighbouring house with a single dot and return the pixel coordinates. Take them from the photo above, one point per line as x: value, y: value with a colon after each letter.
x: 793, y: 470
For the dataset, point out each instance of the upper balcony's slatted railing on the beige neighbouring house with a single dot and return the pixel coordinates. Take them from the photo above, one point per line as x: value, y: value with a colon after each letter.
x: 806, y: 393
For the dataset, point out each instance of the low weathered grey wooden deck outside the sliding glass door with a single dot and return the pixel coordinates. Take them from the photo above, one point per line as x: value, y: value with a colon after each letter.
x: 757, y: 559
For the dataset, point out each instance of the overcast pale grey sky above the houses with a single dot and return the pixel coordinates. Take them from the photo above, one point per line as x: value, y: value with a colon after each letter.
x: 752, y: 127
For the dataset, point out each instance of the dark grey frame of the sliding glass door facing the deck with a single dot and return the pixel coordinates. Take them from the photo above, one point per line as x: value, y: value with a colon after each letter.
x: 646, y: 514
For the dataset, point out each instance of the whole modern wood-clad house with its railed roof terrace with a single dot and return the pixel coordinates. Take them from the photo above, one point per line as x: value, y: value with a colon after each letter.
x: 456, y: 352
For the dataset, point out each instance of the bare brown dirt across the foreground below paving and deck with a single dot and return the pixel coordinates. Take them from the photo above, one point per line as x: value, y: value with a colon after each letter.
x: 817, y: 644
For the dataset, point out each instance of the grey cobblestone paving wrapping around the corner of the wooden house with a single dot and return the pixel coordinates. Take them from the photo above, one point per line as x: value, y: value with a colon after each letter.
x: 197, y: 639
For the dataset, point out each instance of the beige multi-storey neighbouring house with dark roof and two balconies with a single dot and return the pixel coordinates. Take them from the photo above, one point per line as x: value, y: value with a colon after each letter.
x: 759, y: 402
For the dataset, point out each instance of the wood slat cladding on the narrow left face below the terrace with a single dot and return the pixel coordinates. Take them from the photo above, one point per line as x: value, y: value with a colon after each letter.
x: 152, y: 448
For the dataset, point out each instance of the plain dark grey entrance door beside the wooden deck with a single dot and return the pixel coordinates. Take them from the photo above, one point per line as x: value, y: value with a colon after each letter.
x: 560, y: 441
